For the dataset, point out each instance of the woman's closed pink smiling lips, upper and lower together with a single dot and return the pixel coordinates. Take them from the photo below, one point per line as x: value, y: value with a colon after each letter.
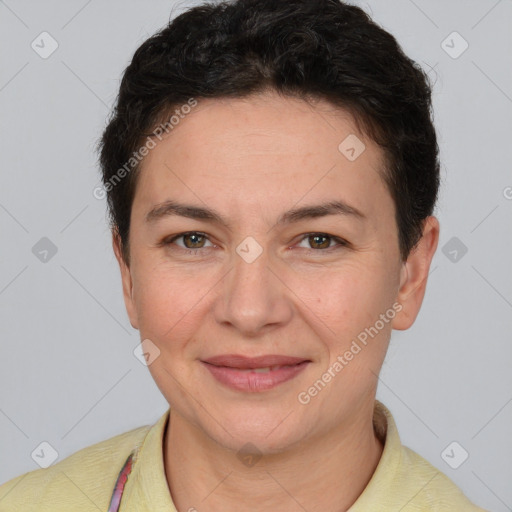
x: 254, y: 374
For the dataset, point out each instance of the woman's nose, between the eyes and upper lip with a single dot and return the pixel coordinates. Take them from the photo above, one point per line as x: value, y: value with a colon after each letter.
x: 253, y: 298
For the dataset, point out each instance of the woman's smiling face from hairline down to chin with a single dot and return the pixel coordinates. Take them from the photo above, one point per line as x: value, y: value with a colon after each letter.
x: 264, y: 282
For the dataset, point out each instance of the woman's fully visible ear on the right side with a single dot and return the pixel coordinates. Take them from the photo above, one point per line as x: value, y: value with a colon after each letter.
x: 414, y: 275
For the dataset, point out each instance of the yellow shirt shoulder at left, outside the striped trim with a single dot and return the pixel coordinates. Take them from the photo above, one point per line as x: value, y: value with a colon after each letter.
x: 82, y: 481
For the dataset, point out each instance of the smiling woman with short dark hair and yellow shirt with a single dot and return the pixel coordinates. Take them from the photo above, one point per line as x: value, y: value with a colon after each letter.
x: 271, y: 171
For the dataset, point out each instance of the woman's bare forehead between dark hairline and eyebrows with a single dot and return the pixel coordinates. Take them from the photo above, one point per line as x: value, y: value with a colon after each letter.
x: 264, y: 150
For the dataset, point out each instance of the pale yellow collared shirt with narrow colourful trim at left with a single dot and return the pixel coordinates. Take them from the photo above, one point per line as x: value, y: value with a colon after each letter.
x: 403, y: 480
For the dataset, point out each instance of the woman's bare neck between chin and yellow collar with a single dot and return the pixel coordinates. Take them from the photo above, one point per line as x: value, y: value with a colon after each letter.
x: 325, y: 474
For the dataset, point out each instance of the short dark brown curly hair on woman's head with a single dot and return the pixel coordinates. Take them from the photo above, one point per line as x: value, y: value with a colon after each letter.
x: 322, y: 49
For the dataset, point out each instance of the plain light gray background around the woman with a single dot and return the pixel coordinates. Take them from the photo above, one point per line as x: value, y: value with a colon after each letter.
x: 68, y: 375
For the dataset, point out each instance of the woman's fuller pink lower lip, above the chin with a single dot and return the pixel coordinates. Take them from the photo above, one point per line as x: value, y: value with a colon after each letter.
x: 252, y: 381
